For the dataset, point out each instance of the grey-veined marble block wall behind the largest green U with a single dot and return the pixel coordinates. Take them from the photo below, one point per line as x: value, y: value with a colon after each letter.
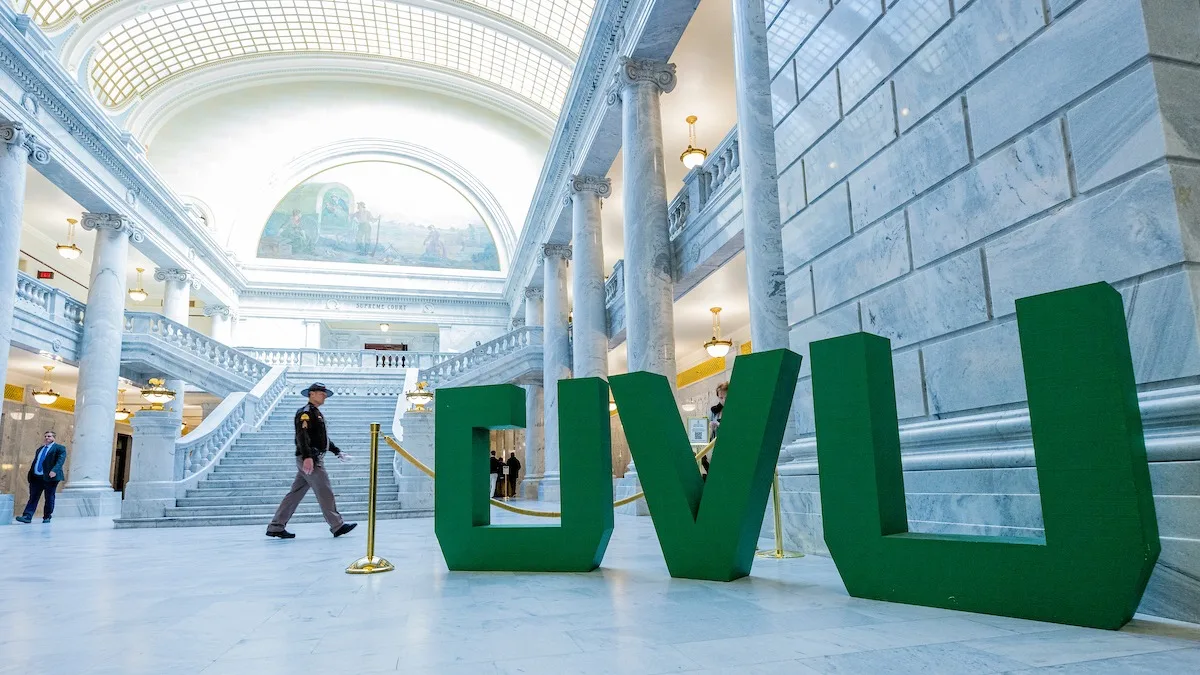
x: 939, y: 160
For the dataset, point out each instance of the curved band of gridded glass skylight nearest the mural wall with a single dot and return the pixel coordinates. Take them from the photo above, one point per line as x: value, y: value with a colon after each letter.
x: 205, y: 33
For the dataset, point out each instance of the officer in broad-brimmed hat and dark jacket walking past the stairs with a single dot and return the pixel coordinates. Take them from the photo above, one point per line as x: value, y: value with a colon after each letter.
x: 313, y: 444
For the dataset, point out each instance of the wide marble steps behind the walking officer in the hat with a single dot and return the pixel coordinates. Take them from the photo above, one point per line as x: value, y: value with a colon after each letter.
x: 254, y: 476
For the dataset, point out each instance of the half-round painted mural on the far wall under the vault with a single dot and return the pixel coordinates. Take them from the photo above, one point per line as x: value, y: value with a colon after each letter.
x: 379, y: 213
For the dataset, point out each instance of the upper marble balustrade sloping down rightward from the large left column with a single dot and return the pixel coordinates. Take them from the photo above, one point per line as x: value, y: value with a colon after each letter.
x: 154, y: 345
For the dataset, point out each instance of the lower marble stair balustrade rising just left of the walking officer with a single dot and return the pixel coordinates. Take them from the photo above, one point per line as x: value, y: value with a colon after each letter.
x: 199, y: 452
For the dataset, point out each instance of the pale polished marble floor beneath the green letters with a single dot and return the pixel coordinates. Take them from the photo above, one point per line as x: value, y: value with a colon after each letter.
x: 80, y: 598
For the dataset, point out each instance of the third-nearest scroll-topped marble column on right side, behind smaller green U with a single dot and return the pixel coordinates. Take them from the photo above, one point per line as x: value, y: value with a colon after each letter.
x: 556, y: 356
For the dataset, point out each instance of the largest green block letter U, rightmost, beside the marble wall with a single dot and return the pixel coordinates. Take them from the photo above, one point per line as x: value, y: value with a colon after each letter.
x: 1101, y: 535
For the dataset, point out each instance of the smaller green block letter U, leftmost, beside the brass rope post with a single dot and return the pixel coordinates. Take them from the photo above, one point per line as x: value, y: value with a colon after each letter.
x: 463, y: 517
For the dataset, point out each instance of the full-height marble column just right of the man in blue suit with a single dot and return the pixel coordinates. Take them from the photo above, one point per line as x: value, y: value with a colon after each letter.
x: 89, y: 491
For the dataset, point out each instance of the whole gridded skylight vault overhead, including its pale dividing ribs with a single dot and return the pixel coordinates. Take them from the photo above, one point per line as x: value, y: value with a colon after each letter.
x: 523, y: 49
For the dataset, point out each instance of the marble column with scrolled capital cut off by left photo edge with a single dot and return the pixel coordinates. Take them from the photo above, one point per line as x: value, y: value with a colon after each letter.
x: 17, y: 150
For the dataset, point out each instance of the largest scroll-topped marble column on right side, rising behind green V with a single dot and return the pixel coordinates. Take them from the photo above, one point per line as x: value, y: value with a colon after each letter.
x: 650, y: 289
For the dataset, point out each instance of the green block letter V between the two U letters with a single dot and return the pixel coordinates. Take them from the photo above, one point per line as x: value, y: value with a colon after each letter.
x: 710, y: 530
